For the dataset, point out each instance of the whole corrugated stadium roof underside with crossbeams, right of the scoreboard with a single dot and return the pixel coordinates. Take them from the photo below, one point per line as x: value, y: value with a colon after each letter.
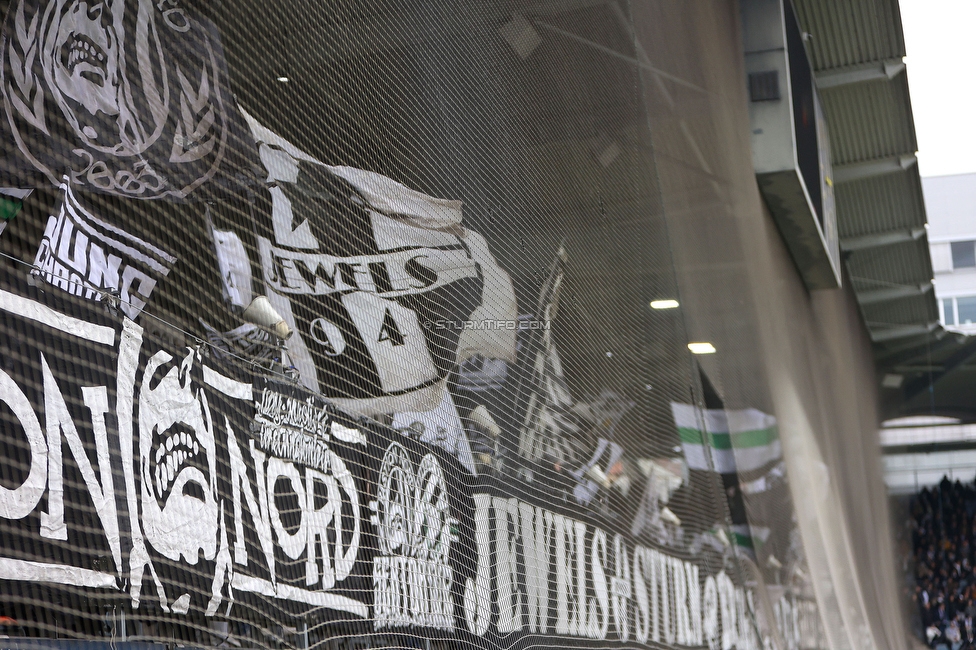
x: 857, y: 49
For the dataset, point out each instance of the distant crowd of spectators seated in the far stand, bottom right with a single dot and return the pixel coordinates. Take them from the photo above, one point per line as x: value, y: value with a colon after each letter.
x: 943, y: 528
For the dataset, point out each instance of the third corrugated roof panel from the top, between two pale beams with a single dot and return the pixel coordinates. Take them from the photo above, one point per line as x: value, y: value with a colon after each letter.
x: 880, y: 204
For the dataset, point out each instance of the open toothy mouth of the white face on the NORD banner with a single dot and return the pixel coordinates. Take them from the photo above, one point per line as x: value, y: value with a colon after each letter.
x: 177, y: 451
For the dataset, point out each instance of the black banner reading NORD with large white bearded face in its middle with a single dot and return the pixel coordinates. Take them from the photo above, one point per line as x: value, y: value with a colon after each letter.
x: 191, y: 487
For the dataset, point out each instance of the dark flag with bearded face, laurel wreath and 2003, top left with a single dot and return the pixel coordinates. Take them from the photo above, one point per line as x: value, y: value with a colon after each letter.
x: 127, y: 97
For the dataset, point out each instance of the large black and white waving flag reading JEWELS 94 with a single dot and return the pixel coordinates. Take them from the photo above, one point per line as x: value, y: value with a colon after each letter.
x: 378, y: 282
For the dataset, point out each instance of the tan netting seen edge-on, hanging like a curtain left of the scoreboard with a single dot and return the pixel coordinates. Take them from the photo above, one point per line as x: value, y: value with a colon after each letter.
x: 805, y: 357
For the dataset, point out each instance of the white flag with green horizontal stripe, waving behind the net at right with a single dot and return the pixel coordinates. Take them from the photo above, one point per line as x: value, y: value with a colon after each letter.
x: 739, y: 441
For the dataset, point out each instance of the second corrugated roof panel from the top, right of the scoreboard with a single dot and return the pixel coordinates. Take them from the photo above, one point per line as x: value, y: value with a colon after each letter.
x: 869, y: 120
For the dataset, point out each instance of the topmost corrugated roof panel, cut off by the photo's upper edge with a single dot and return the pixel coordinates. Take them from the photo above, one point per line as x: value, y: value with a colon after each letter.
x: 850, y: 32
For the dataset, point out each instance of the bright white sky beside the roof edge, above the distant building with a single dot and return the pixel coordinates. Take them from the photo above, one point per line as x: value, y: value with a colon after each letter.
x: 939, y: 39
